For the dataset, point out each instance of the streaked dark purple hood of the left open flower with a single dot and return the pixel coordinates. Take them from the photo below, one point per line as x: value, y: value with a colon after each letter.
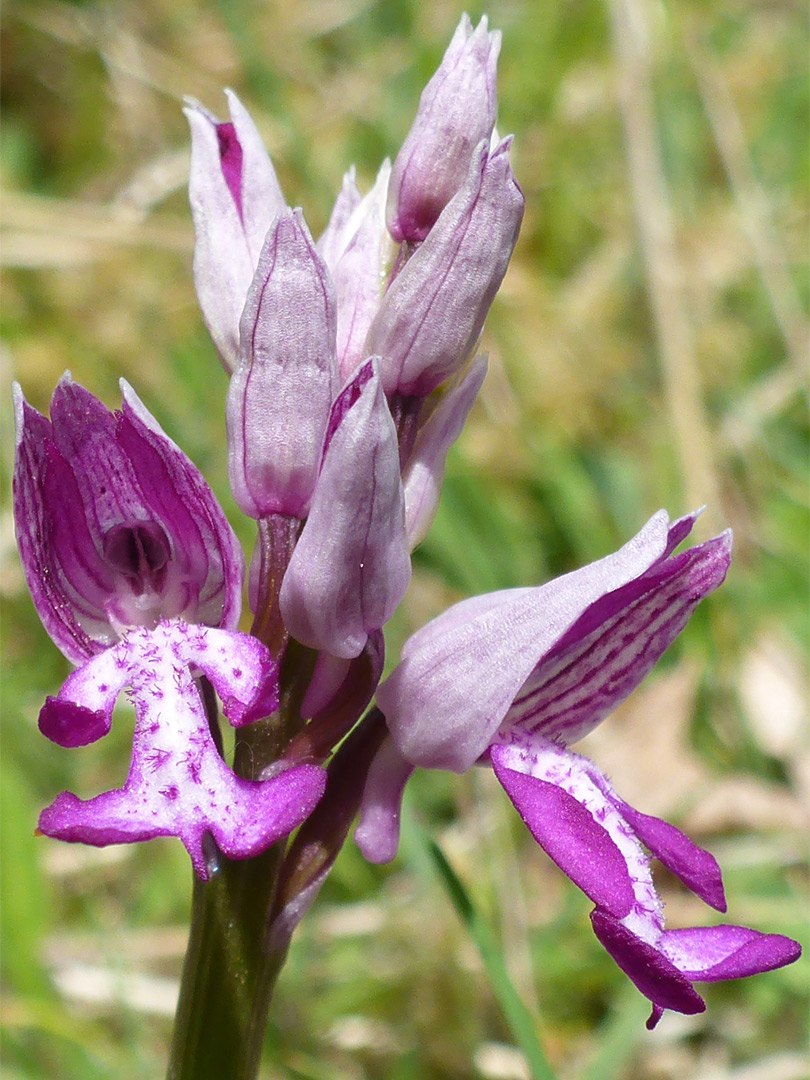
x: 116, y: 526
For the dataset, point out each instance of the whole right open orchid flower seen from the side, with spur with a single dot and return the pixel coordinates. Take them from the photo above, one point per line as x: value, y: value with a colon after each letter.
x: 514, y: 679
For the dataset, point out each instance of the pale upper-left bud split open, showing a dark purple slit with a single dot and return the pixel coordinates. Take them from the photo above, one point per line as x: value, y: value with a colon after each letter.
x: 235, y: 197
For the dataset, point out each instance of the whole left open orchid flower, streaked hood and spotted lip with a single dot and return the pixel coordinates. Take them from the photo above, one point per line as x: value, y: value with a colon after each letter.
x: 125, y: 549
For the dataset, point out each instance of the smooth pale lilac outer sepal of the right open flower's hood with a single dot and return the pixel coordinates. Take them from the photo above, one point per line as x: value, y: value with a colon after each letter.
x: 460, y: 674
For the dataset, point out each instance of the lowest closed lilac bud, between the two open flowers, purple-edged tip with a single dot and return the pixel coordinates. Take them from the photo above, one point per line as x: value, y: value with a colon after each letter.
x: 352, y: 565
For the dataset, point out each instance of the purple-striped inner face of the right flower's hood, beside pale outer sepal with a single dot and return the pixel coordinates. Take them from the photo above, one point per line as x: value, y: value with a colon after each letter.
x: 595, y: 668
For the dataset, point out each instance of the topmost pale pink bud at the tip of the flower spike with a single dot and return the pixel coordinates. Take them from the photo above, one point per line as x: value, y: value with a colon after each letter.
x: 457, y: 111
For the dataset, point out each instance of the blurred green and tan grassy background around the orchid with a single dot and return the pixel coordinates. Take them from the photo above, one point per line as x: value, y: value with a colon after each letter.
x: 647, y: 349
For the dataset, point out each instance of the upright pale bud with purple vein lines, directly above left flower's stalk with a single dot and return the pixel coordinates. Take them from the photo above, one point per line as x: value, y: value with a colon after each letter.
x: 283, y: 387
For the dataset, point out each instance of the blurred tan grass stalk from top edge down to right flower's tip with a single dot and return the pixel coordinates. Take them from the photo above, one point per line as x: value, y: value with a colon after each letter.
x: 632, y: 47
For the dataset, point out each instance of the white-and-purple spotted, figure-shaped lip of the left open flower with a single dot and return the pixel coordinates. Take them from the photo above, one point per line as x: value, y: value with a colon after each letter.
x: 179, y: 785
